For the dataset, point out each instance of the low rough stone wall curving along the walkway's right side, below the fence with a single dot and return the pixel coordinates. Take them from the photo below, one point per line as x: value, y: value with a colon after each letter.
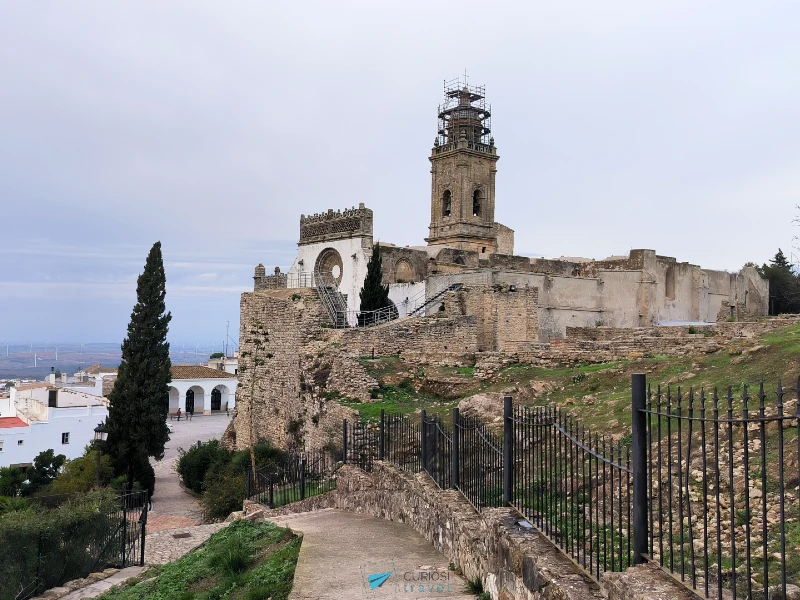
x: 513, y: 564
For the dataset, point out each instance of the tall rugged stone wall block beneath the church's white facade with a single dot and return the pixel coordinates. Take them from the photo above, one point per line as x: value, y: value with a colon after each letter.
x: 283, y: 372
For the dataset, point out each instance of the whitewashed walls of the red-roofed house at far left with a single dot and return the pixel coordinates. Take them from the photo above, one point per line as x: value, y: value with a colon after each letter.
x: 44, y: 435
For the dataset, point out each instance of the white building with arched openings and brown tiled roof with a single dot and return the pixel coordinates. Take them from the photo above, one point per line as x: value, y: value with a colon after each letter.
x: 201, y: 389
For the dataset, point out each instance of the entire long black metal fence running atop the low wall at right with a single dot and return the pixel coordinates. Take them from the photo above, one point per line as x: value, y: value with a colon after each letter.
x: 707, y: 485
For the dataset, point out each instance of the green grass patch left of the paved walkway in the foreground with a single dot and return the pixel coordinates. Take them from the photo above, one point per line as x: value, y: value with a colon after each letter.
x: 244, y: 561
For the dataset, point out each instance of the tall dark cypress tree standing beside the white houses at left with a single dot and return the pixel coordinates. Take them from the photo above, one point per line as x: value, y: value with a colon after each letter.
x: 137, y: 416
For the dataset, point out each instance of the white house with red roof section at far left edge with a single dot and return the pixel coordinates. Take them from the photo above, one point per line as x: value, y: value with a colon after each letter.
x: 39, y: 417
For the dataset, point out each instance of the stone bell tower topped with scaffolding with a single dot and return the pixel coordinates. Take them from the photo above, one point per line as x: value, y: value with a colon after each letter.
x: 463, y: 168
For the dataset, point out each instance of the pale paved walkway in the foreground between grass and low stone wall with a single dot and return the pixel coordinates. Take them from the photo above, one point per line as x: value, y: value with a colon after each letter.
x: 341, y: 549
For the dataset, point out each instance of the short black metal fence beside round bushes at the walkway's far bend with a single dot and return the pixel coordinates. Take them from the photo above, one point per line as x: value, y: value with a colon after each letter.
x: 299, y: 477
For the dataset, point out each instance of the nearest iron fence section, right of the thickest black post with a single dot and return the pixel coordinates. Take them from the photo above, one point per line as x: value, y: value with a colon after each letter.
x: 722, y: 489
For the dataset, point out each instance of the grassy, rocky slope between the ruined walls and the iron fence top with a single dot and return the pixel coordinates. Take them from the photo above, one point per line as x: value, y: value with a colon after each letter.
x: 597, y: 394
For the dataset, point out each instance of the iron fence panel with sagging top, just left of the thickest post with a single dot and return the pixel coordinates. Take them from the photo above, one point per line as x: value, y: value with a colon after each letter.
x: 574, y: 486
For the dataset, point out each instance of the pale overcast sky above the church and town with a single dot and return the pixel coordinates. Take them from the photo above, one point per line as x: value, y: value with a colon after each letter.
x: 212, y: 126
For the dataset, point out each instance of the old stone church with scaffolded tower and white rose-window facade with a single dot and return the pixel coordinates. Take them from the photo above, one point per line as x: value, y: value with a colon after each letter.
x: 469, y: 256
